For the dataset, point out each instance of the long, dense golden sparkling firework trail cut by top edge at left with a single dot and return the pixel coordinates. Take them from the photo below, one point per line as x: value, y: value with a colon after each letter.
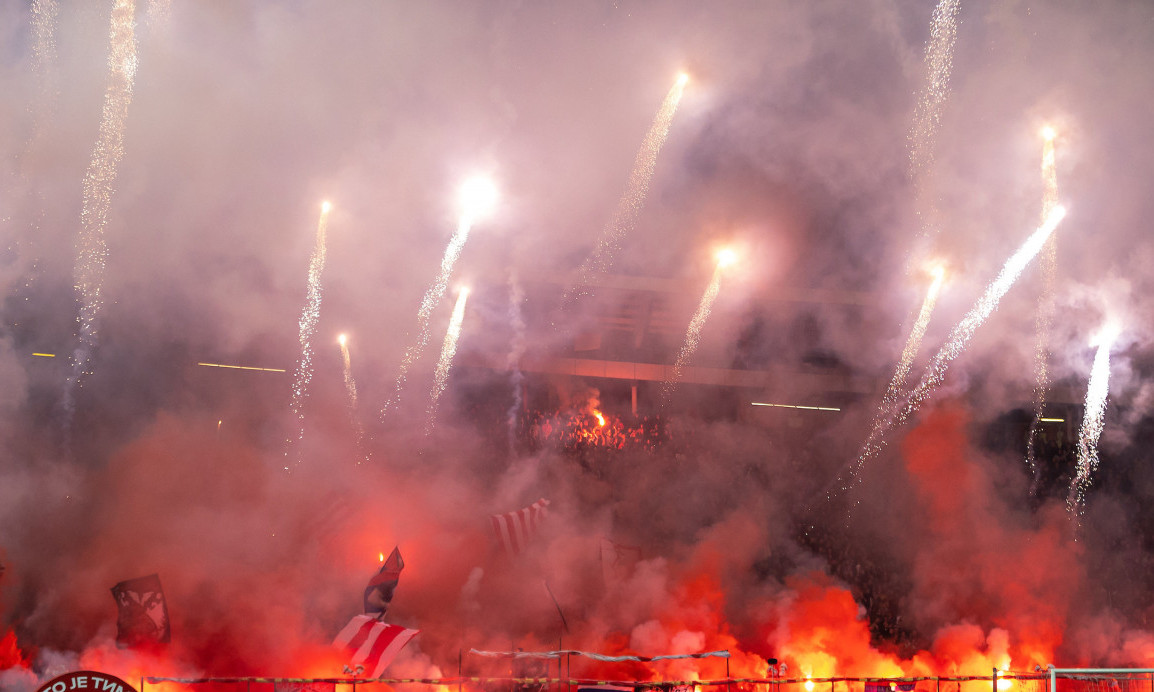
x: 100, y: 184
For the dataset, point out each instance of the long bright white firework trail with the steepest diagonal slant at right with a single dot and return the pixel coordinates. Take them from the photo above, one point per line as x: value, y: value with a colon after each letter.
x: 960, y: 337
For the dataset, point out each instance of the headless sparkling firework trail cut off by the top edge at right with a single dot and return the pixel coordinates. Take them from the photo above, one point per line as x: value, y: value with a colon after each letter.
x: 931, y: 103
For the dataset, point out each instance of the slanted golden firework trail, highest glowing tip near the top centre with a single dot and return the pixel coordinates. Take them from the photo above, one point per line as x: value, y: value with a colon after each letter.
x: 630, y: 207
